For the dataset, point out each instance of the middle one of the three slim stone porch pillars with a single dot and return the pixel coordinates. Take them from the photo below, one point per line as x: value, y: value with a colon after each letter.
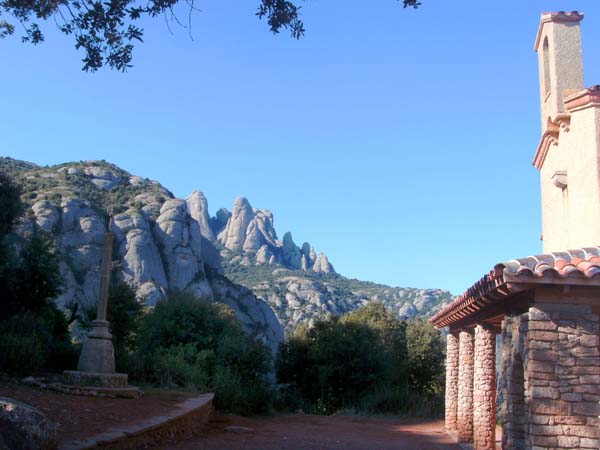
x: 465, y: 387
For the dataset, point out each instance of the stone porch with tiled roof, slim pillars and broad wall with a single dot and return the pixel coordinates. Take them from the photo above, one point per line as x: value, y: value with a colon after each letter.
x: 546, y: 309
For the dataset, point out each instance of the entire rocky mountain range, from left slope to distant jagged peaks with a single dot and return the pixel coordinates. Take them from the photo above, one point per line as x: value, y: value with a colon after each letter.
x: 163, y: 242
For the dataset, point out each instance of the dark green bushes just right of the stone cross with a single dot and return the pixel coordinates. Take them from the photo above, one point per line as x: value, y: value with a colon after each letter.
x: 185, y: 342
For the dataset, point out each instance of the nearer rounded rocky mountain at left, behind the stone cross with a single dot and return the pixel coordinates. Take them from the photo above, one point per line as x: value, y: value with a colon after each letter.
x: 158, y: 244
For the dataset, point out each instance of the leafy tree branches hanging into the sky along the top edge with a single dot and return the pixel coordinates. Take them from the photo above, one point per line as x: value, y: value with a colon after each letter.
x: 107, y: 31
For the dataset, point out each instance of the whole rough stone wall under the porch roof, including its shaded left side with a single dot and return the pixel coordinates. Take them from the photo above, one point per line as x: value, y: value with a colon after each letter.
x: 551, y: 378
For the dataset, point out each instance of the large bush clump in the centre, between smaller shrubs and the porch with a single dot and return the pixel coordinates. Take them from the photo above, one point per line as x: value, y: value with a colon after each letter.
x: 368, y: 360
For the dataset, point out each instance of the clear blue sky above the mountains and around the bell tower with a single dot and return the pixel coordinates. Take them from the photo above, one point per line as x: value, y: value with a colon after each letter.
x: 398, y: 142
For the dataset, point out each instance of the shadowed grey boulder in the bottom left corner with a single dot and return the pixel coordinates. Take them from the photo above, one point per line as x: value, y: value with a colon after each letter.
x: 23, y: 427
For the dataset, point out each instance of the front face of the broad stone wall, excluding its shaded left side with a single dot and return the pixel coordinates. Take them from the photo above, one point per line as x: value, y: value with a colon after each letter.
x: 562, y: 377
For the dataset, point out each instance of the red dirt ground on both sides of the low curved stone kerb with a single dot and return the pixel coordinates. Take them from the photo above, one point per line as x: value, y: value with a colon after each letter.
x: 81, y: 417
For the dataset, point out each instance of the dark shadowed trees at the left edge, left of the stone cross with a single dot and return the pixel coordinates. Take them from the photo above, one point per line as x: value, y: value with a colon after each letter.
x: 33, y: 332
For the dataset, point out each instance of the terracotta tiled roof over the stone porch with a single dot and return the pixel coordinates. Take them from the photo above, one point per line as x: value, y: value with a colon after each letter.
x: 583, y: 263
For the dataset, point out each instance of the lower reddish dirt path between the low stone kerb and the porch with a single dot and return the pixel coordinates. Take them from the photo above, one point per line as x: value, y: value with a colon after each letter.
x: 304, y: 432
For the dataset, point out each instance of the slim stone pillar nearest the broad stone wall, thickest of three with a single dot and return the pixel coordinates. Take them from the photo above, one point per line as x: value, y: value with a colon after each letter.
x: 484, y: 390
